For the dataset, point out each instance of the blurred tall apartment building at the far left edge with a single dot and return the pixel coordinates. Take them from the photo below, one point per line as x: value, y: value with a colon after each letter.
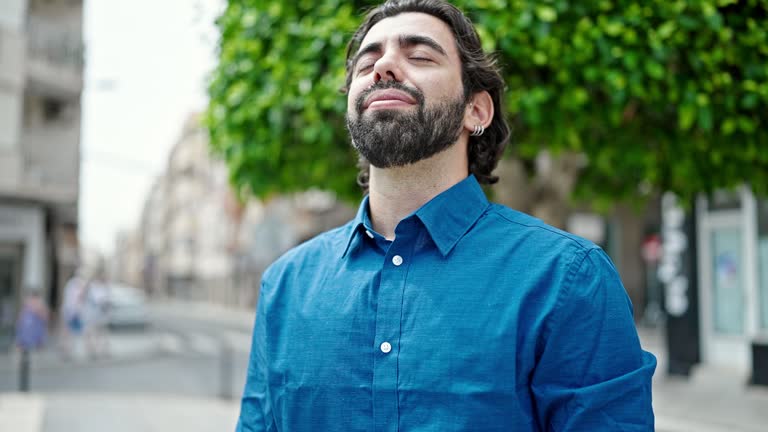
x: 41, y: 80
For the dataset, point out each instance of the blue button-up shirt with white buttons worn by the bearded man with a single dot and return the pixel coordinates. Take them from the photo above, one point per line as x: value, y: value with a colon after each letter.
x: 475, y: 318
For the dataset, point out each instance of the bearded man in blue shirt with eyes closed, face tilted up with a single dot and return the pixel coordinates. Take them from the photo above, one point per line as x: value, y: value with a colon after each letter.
x: 434, y: 310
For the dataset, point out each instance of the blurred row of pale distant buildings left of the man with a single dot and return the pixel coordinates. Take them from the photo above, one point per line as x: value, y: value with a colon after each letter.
x: 199, y: 242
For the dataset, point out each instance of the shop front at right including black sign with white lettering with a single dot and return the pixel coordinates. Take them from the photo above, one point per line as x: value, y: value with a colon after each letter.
x: 715, y: 274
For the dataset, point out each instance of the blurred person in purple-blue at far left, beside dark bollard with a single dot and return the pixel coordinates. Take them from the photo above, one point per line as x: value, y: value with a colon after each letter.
x: 31, y: 333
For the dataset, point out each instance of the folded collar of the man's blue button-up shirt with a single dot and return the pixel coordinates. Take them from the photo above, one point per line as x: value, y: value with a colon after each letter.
x: 447, y: 217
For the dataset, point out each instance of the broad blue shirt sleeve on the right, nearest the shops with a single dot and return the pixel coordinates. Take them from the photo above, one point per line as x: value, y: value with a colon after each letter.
x: 592, y: 374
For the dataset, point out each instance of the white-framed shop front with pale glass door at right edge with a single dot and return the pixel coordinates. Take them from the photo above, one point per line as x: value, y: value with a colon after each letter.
x: 733, y: 264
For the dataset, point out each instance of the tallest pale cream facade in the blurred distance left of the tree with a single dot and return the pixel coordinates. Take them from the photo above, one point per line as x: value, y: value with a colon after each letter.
x: 199, y: 226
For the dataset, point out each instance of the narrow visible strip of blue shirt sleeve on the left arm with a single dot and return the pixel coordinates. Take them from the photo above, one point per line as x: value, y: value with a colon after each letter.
x: 255, y: 407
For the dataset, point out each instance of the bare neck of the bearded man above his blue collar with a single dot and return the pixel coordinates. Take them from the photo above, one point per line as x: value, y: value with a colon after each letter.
x: 397, y: 192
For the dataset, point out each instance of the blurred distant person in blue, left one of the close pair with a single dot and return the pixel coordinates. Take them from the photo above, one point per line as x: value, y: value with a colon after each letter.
x: 71, y: 325
